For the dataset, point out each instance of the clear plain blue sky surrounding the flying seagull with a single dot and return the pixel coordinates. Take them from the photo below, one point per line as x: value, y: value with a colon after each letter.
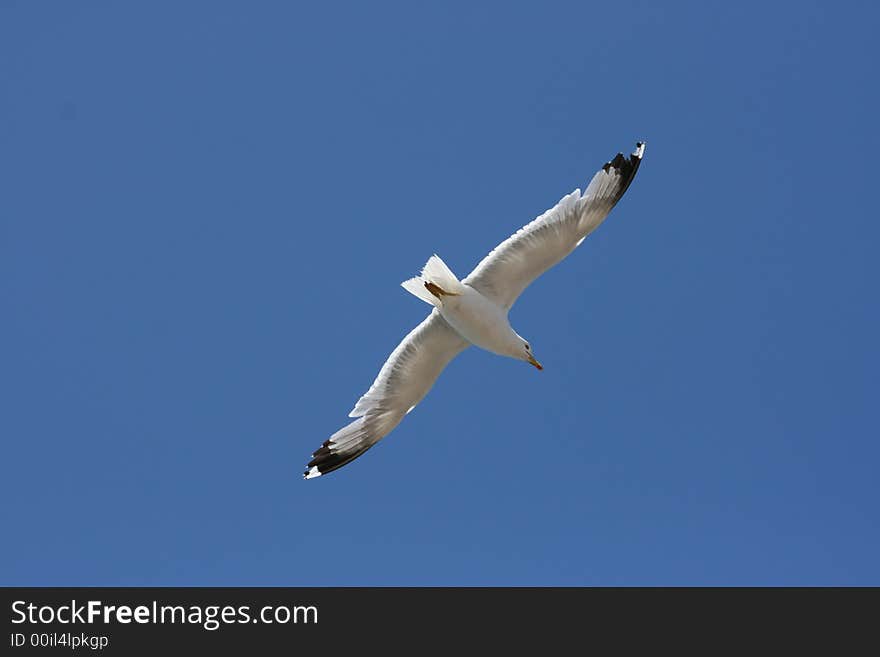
x: 206, y: 212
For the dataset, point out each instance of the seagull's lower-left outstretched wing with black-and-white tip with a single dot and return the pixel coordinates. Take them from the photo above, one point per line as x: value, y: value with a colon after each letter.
x: 405, y: 378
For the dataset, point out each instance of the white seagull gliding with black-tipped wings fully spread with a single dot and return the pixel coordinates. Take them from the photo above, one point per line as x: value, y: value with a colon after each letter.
x: 473, y: 311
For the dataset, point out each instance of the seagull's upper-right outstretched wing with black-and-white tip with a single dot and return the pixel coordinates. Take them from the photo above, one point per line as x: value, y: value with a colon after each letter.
x: 534, y: 248
